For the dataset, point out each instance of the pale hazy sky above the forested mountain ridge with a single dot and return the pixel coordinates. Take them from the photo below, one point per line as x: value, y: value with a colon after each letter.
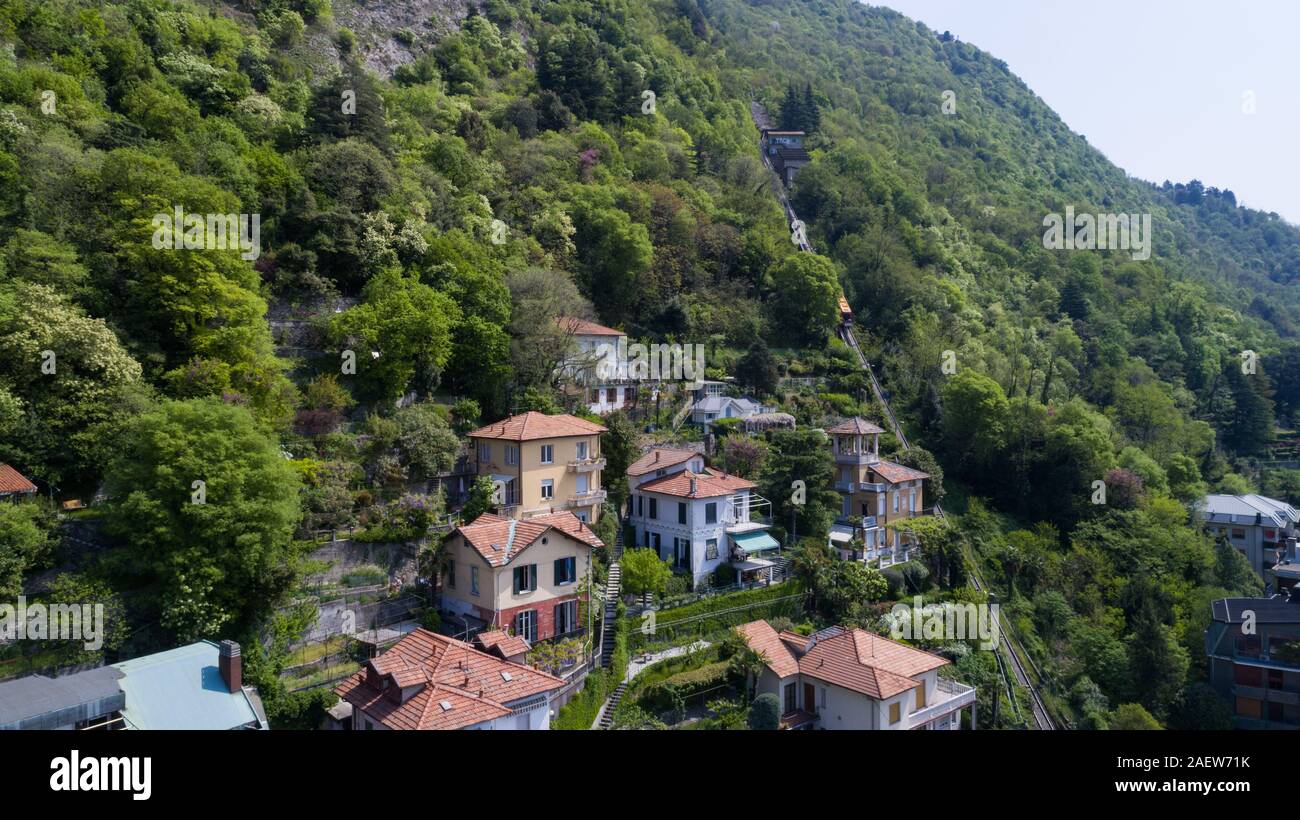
x: 1163, y: 88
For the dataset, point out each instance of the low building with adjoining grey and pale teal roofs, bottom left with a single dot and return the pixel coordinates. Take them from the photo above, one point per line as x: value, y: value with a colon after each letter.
x: 196, y: 687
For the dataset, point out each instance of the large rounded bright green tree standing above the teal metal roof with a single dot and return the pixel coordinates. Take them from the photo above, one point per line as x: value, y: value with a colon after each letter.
x: 205, y: 506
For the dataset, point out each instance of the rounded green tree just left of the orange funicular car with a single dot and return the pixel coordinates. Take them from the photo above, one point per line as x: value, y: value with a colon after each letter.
x: 804, y: 298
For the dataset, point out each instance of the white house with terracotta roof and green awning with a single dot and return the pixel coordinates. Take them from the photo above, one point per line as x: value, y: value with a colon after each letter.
x: 699, y: 519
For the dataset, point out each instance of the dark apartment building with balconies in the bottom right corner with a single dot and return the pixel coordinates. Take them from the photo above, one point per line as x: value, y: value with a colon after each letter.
x: 1254, y: 650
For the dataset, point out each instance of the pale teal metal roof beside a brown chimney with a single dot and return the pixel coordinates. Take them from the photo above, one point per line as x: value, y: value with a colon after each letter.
x: 183, y: 689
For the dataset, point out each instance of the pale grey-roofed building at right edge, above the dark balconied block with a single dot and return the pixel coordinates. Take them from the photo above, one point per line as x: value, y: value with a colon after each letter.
x: 1258, y: 526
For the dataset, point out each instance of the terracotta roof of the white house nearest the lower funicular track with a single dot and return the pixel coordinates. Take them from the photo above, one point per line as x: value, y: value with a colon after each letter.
x: 853, y: 658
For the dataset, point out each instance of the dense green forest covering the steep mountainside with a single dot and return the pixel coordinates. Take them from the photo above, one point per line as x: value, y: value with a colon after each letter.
x: 434, y: 215
